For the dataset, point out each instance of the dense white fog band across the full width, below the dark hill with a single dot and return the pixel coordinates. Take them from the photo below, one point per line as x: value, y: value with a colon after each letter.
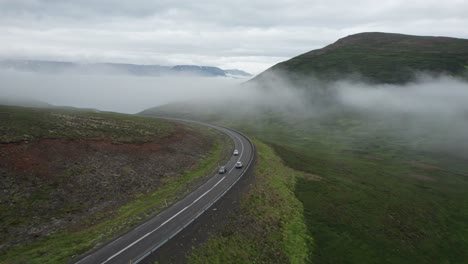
x: 439, y: 97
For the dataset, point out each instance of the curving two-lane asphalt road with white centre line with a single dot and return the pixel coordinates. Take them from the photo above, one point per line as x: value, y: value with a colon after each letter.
x: 149, y: 236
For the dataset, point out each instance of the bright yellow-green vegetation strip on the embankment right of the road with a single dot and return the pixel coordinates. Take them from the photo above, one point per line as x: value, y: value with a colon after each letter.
x: 270, y: 227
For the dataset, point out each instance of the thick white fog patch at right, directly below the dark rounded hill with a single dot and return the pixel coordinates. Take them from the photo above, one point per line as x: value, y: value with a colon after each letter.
x: 437, y: 97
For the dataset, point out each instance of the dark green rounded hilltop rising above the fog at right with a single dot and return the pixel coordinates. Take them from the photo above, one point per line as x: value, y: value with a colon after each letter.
x: 379, y: 58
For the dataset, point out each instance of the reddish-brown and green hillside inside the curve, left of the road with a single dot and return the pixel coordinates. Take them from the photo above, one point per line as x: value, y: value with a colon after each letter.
x: 72, y: 179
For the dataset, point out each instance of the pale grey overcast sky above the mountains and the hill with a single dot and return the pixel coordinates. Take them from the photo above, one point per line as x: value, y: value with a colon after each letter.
x: 251, y: 35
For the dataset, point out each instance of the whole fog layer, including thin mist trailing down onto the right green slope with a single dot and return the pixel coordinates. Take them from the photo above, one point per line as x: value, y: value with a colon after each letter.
x: 434, y: 108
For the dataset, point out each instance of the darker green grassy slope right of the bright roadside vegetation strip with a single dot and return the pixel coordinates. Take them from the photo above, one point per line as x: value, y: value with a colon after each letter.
x: 378, y: 201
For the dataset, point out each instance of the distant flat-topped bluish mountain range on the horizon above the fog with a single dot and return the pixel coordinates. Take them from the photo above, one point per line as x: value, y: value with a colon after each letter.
x: 54, y: 67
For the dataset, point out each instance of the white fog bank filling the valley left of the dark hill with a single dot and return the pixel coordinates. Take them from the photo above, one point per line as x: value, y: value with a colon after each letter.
x: 118, y: 93
